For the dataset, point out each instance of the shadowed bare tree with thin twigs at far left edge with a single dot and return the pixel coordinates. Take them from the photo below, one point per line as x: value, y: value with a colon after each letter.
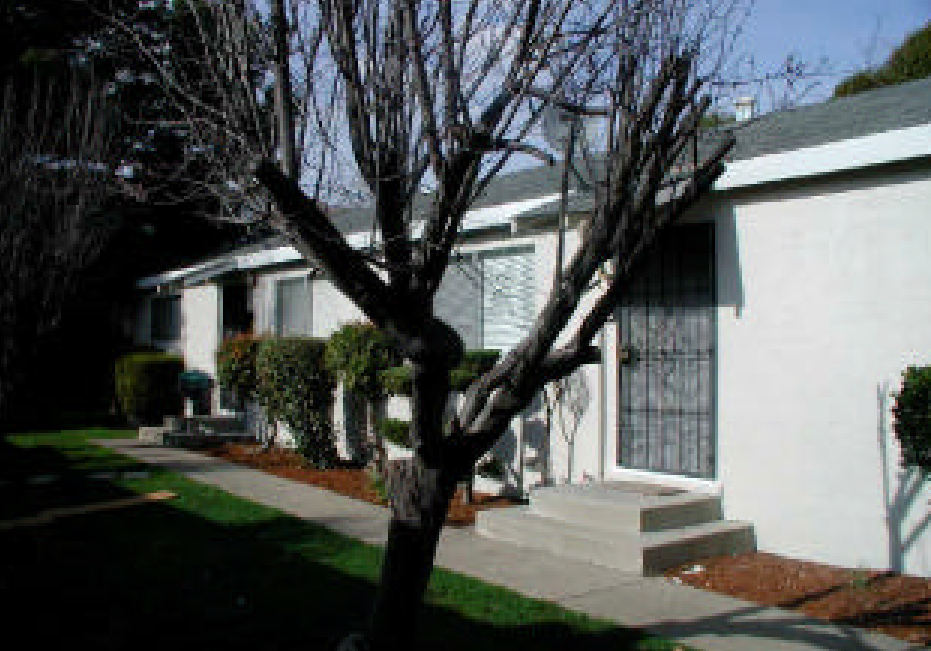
x: 57, y: 147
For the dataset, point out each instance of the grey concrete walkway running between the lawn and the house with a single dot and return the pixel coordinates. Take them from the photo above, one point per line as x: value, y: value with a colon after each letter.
x: 697, y: 618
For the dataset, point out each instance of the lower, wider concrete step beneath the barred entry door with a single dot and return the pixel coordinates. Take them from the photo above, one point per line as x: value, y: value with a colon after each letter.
x: 632, y: 551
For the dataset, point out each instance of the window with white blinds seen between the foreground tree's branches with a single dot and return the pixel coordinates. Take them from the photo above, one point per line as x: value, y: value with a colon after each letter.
x: 488, y: 297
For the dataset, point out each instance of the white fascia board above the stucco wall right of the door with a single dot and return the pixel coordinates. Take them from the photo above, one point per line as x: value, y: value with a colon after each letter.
x: 844, y: 155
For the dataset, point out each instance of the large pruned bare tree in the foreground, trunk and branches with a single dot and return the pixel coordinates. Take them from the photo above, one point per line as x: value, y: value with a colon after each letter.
x: 412, y: 96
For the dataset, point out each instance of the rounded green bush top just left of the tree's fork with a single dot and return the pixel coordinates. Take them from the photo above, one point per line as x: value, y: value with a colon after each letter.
x: 356, y: 354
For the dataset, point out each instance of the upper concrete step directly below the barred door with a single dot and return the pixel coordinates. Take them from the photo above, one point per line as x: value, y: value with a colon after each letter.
x: 624, y: 508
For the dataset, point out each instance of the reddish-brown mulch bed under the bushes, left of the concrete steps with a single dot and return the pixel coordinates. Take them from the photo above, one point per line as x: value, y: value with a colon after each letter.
x: 354, y: 482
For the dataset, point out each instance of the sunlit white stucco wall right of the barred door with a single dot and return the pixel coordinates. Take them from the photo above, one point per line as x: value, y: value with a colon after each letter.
x: 824, y: 298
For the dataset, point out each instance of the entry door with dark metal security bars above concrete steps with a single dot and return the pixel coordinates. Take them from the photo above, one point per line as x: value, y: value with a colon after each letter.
x: 667, y: 392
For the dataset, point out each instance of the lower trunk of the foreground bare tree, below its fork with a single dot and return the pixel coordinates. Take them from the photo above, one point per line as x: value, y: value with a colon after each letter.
x: 420, y: 500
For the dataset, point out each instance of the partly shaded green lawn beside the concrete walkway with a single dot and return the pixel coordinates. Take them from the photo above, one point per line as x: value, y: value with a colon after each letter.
x: 208, y: 570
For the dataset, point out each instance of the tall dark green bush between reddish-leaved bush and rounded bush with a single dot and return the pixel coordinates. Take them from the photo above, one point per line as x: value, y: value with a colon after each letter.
x: 295, y: 387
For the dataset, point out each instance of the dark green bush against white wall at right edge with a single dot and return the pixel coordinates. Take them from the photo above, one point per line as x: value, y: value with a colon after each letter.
x: 912, y: 411
